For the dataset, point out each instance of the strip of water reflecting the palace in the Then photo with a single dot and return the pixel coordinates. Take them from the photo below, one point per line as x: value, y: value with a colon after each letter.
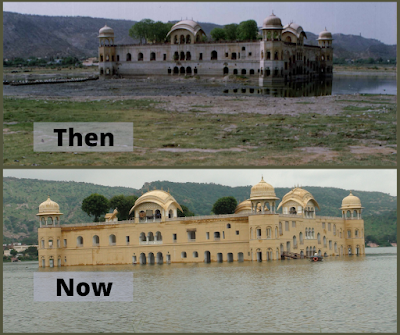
x: 339, y: 85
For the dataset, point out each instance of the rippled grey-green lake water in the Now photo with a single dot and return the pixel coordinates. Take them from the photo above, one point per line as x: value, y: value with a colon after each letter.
x: 348, y: 294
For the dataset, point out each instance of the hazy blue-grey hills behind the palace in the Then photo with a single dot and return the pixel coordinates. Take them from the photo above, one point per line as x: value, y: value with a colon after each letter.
x: 40, y: 36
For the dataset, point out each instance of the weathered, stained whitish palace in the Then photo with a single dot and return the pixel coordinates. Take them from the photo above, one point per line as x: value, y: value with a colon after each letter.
x: 279, y: 55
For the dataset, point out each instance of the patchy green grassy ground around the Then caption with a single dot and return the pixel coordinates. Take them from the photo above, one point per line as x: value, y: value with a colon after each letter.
x: 363, y: 134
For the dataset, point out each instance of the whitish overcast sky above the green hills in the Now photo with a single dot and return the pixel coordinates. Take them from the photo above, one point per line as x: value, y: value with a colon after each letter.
x: 350, y: 179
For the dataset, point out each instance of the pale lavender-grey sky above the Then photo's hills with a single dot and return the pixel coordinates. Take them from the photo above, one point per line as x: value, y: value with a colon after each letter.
x: 372, y: 19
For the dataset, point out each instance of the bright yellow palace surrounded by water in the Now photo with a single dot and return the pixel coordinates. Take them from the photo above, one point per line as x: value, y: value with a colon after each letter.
x: 155, y: 234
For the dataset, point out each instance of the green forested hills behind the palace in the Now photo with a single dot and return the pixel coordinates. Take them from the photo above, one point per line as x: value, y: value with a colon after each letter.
x: 21, y: 198
